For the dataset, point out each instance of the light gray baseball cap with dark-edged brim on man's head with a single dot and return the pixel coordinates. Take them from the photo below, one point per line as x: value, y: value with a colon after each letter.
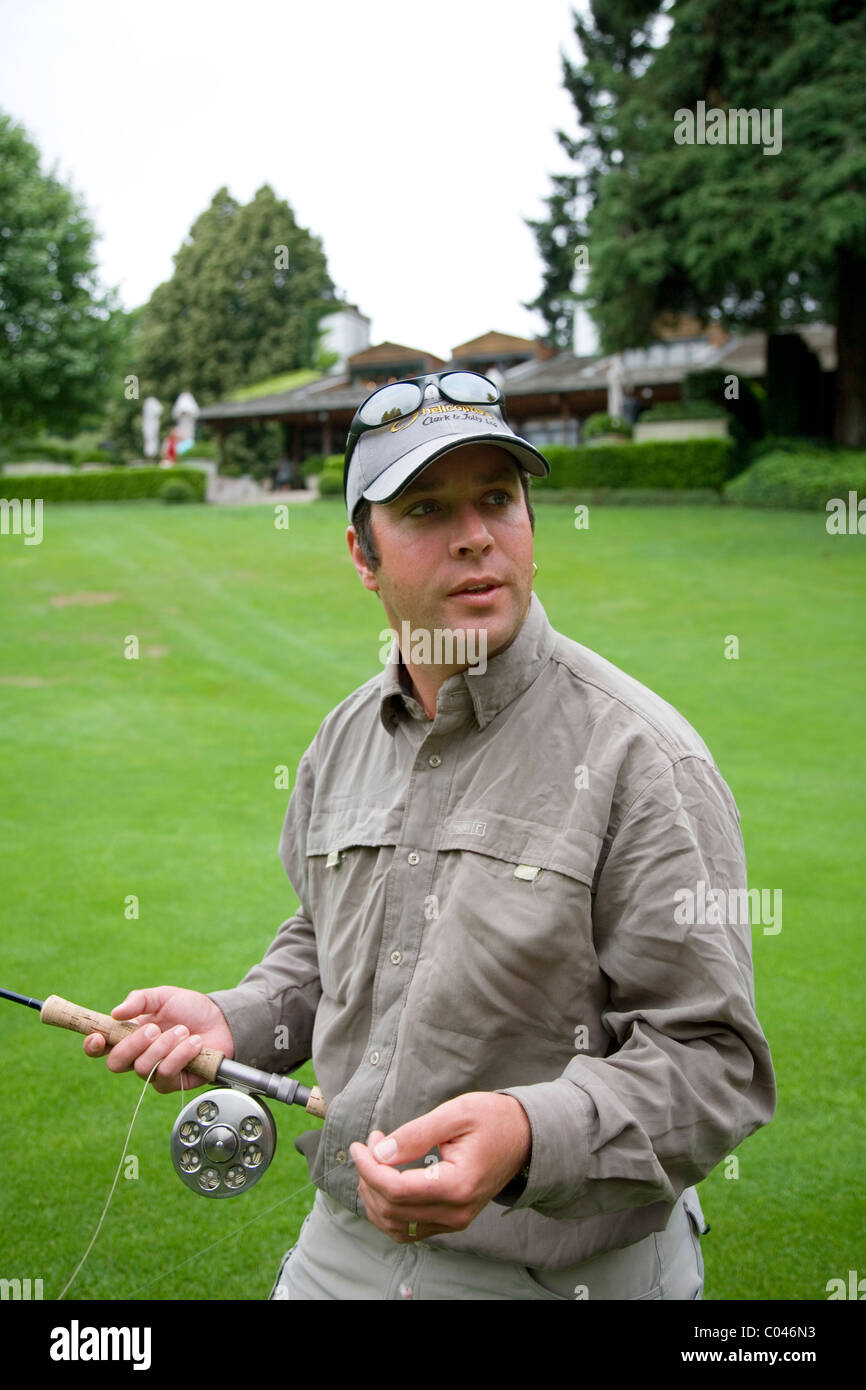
x: 389, y: 458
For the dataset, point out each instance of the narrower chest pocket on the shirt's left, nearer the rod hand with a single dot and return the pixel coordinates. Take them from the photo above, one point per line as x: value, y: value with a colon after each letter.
x: 350, y: 851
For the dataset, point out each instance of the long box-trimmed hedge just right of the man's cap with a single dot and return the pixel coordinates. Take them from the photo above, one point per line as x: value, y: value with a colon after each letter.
x: 658, y: 464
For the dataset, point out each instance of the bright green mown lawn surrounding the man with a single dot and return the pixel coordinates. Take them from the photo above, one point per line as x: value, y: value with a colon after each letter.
x: 156, y: 778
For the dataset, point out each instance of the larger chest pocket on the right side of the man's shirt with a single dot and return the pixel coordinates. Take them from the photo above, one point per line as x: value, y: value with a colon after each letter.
x: 512, y: 951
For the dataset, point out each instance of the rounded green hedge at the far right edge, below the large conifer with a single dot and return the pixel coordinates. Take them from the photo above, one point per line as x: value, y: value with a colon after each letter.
x: 800, y: 480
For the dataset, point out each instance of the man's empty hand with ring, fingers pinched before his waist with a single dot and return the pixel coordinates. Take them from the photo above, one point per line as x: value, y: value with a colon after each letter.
x: 484, y: 1140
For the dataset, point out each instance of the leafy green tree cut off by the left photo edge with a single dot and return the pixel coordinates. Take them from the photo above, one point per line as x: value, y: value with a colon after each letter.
x: 59, y: 333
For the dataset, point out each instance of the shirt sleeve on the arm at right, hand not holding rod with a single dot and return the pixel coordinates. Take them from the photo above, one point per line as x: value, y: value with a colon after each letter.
x: 689, y: 1074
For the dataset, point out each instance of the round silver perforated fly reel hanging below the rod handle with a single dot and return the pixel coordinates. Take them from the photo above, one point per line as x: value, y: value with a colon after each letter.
x: 223, y: 1142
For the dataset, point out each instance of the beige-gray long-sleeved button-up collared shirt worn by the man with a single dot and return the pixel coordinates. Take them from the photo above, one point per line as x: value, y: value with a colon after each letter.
x: 500, y: 900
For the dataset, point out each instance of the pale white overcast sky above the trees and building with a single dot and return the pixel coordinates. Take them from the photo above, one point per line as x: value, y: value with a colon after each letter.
x: 414, y: 140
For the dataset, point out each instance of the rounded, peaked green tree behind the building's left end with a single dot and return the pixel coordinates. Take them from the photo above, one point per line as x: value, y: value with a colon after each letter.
x: 244, y: 304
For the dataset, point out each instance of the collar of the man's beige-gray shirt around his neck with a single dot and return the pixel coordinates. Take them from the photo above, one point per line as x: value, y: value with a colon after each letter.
x: 508, y: 676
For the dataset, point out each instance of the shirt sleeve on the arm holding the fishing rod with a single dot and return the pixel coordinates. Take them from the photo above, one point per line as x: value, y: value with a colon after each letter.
x: 273, y: 1010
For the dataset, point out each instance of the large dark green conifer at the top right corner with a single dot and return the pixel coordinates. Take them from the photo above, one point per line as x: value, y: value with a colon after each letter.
x: 725, y: 231
